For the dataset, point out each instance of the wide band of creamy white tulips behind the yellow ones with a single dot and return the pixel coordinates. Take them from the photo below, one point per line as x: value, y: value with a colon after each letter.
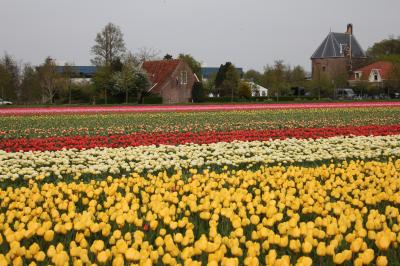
x: 238, y: 154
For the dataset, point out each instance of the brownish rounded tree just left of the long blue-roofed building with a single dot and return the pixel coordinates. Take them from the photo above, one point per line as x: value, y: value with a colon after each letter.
x: 48, y: 80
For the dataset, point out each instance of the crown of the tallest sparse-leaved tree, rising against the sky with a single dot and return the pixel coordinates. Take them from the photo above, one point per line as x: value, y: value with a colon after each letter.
x: 109, y: 45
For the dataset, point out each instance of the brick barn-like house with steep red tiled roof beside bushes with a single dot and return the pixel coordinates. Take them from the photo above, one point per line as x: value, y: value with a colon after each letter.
x: 171, y: 79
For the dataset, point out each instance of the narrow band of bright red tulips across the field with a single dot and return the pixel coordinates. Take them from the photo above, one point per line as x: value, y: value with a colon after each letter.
x: 172, y: 138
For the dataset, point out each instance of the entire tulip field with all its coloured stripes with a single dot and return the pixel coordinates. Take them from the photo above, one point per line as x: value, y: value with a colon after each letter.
x: 306, y: 184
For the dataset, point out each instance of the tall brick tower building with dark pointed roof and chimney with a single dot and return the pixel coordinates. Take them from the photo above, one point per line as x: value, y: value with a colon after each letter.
x: 338, y: 54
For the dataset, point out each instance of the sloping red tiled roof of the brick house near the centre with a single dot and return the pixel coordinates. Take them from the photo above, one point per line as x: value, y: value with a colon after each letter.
x: 159, y: 71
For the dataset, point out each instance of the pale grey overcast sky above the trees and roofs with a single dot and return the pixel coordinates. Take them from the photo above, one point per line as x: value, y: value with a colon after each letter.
x: 249, y: 33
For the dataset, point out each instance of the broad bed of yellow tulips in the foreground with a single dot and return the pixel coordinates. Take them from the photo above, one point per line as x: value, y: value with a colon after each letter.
x: 275, y: 216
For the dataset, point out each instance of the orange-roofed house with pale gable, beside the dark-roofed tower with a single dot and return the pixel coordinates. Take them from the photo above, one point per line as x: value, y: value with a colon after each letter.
x: 376, y: 73
